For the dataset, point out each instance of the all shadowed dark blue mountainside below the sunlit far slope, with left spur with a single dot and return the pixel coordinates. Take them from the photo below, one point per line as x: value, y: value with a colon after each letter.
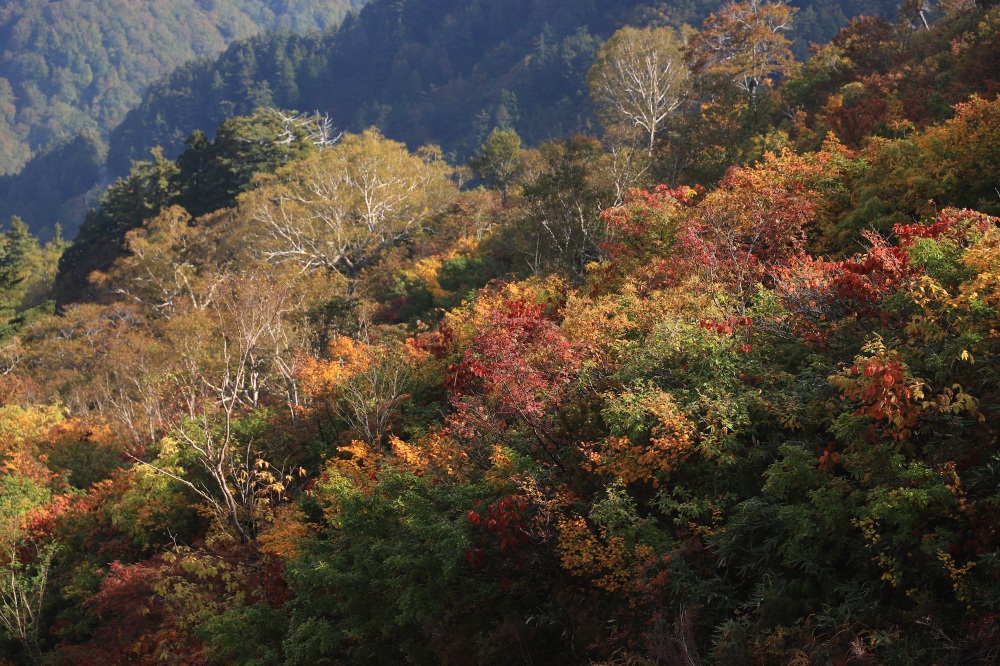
x: 441, y: 72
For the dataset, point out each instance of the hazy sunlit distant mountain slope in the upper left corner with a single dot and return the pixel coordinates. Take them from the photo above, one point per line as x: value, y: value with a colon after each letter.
x: 73, y: 65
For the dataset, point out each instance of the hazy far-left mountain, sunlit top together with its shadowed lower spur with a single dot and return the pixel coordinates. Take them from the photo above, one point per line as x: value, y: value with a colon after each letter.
x: 71, y: 69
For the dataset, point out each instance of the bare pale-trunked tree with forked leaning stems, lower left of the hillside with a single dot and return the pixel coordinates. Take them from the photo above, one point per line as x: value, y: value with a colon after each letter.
x: 226, y: 359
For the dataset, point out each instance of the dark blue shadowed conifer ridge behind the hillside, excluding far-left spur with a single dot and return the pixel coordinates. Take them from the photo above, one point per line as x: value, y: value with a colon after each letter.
x: 433, y: 72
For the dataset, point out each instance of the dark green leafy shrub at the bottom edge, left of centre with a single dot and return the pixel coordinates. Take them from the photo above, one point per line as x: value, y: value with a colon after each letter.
x: 395, y: 565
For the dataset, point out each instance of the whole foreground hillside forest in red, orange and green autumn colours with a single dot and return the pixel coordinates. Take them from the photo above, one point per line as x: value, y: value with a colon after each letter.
x: 715, y: 383
